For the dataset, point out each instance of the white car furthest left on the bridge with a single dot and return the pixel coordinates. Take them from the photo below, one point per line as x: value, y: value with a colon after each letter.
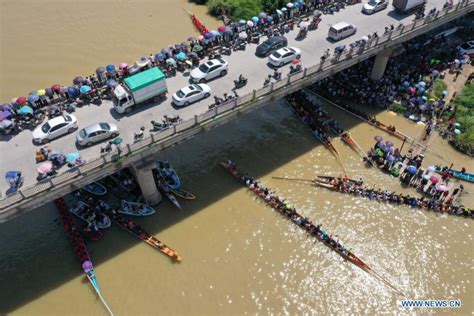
x: 56, y: 127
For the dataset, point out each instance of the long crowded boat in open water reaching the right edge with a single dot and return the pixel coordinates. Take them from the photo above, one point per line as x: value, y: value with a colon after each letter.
x: 379, y: 195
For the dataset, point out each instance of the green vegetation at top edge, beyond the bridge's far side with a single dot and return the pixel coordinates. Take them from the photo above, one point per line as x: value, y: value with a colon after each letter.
x: 241, y: 9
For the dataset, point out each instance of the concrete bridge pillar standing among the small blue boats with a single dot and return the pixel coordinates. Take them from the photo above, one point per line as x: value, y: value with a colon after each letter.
x: 144, y: 175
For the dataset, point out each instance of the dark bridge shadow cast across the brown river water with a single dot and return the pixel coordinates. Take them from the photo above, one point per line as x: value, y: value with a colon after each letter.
x: 36, y: 257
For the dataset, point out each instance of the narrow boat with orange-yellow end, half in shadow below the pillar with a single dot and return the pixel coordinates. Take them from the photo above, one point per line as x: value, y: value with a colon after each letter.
x: 140, y: 233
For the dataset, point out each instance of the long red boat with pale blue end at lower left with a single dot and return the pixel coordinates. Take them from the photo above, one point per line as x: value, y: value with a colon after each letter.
x: 80, y: 248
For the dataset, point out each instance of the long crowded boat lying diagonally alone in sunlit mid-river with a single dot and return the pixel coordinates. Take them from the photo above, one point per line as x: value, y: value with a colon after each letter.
x: 277, y: 204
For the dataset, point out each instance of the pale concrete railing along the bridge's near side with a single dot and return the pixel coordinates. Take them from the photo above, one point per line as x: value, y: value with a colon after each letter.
x: 173, y: 135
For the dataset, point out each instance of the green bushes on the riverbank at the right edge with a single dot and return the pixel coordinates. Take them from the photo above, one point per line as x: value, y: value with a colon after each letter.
x: 464, y: 115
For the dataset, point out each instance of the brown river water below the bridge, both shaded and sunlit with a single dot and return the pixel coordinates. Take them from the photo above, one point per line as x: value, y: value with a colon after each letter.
x: 239, y: 256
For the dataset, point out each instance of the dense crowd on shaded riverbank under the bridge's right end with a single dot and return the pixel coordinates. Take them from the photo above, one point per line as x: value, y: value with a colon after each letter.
x: 408, y: 77
